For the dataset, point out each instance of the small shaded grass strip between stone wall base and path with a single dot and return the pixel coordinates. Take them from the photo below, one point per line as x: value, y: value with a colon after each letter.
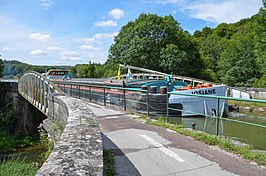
x: 108, y: 163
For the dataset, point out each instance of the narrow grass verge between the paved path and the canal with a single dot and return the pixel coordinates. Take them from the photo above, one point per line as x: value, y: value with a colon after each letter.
x: 222, y: 142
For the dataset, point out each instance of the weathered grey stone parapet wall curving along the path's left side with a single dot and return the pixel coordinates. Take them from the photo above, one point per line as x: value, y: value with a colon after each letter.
x: 79, y: 148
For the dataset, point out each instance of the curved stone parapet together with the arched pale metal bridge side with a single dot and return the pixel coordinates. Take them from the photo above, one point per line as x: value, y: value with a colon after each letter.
x: 70, y: 124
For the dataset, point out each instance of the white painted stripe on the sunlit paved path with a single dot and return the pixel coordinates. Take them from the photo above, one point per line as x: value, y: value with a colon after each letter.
x: 162, y: 148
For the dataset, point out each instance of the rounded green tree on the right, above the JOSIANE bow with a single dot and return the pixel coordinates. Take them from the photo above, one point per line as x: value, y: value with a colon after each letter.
x: 239, y: 66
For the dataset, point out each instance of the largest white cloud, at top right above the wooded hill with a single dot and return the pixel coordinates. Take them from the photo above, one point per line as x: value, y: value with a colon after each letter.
x: 223, y: 11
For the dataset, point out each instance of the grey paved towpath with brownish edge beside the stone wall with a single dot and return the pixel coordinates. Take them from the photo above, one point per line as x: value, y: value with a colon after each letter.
x: 142, y: 149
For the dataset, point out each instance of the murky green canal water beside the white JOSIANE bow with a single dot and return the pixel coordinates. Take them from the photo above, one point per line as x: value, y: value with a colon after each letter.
x: 247, y: 134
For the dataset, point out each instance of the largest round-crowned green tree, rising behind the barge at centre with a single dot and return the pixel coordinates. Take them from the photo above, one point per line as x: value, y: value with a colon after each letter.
x: 141, y: 43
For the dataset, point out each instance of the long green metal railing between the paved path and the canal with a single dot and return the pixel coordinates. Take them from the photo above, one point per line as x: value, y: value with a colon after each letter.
x: 107, y: 95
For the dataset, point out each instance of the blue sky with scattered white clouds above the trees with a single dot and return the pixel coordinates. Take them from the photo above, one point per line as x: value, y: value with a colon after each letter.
x: 70, y: 32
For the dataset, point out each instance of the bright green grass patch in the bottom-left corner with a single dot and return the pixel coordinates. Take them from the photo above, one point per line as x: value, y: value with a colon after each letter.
x: 17, y: 167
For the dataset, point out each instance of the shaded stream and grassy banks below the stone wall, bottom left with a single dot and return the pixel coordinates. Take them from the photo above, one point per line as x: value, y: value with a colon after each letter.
x: 21, y: 155
